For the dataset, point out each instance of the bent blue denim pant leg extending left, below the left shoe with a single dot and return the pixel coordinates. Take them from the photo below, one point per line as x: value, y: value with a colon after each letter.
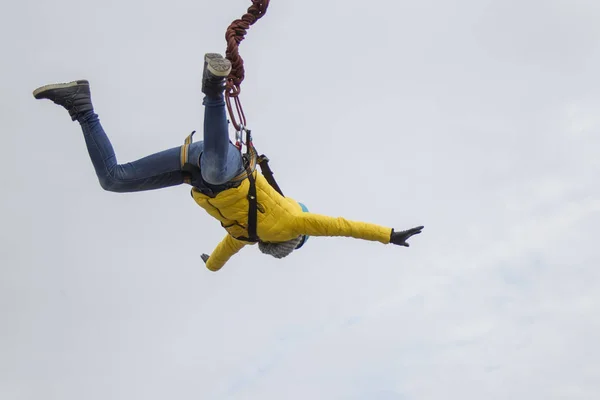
x: 155, y: 171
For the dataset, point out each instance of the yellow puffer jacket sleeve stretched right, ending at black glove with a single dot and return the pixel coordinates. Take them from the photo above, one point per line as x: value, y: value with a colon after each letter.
x: 322, y: 225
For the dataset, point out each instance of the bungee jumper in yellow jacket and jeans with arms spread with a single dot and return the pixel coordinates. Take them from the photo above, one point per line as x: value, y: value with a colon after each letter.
x: 281, y: 224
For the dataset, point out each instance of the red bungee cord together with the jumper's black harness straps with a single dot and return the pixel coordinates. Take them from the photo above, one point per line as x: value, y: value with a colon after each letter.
x: 235, y: 34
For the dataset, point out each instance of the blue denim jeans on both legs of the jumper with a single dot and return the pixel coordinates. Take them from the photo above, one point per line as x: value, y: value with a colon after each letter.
x: 219, y: 159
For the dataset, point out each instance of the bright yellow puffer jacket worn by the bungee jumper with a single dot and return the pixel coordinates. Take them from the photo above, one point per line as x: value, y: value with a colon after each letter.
x: 279, y: 219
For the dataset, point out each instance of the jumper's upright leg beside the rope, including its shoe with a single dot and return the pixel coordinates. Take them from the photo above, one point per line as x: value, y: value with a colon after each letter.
x: 221, y: 160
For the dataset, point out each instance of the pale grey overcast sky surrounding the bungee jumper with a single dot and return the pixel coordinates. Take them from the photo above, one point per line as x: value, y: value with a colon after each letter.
x: 478, y: 119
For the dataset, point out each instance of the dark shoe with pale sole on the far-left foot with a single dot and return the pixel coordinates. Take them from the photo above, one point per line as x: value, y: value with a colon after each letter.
x: 74, y: 96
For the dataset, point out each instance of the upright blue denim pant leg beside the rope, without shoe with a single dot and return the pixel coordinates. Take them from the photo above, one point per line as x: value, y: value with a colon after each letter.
x: 220, y: 161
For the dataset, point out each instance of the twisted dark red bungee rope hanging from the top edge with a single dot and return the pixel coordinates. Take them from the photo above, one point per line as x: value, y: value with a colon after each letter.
x: 236, y: 32
